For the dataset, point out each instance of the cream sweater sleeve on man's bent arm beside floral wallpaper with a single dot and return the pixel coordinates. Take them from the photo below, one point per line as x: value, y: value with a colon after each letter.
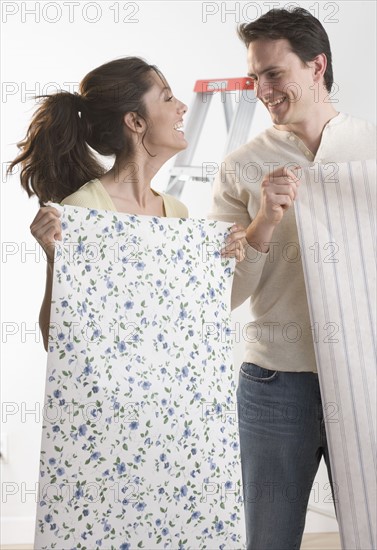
x: 229, y: 206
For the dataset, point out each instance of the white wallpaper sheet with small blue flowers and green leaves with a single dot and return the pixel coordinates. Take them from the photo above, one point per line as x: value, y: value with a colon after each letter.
x: 140, y: 443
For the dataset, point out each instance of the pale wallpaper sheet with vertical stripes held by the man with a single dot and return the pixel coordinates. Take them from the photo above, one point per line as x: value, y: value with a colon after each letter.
x: 336, y: 219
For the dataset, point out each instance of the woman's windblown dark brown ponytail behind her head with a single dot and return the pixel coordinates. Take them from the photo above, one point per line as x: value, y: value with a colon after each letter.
x: 55, y: 157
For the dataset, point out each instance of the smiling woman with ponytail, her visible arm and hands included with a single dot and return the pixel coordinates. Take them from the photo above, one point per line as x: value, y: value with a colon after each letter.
x: 126, y: 109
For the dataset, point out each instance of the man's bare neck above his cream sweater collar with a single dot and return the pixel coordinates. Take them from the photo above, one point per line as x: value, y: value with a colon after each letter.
x: 310, y: 131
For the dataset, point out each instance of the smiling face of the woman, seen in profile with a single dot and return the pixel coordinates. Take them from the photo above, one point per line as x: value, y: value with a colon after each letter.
x: 164, y: 136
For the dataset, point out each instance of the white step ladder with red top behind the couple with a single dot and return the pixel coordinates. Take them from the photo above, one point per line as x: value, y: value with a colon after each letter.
x: 238, y: 121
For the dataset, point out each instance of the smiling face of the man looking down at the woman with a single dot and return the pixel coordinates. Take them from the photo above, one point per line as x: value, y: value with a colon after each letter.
x: 282, y: 82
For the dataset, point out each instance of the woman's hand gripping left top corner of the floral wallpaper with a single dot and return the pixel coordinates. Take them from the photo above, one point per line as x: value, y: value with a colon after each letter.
x: 46, y: 228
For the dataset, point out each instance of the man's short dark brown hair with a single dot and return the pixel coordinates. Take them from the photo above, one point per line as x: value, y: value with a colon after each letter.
x: 304, y: 32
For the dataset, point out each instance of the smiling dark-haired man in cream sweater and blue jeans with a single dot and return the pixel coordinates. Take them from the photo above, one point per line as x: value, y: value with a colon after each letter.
x: 282, y: 431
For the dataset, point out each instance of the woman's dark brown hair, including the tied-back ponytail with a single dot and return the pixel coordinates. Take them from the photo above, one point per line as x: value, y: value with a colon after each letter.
x: 57, y: 155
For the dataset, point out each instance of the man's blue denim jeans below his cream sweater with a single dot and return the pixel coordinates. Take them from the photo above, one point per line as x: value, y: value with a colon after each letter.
x: 282, y: 440
